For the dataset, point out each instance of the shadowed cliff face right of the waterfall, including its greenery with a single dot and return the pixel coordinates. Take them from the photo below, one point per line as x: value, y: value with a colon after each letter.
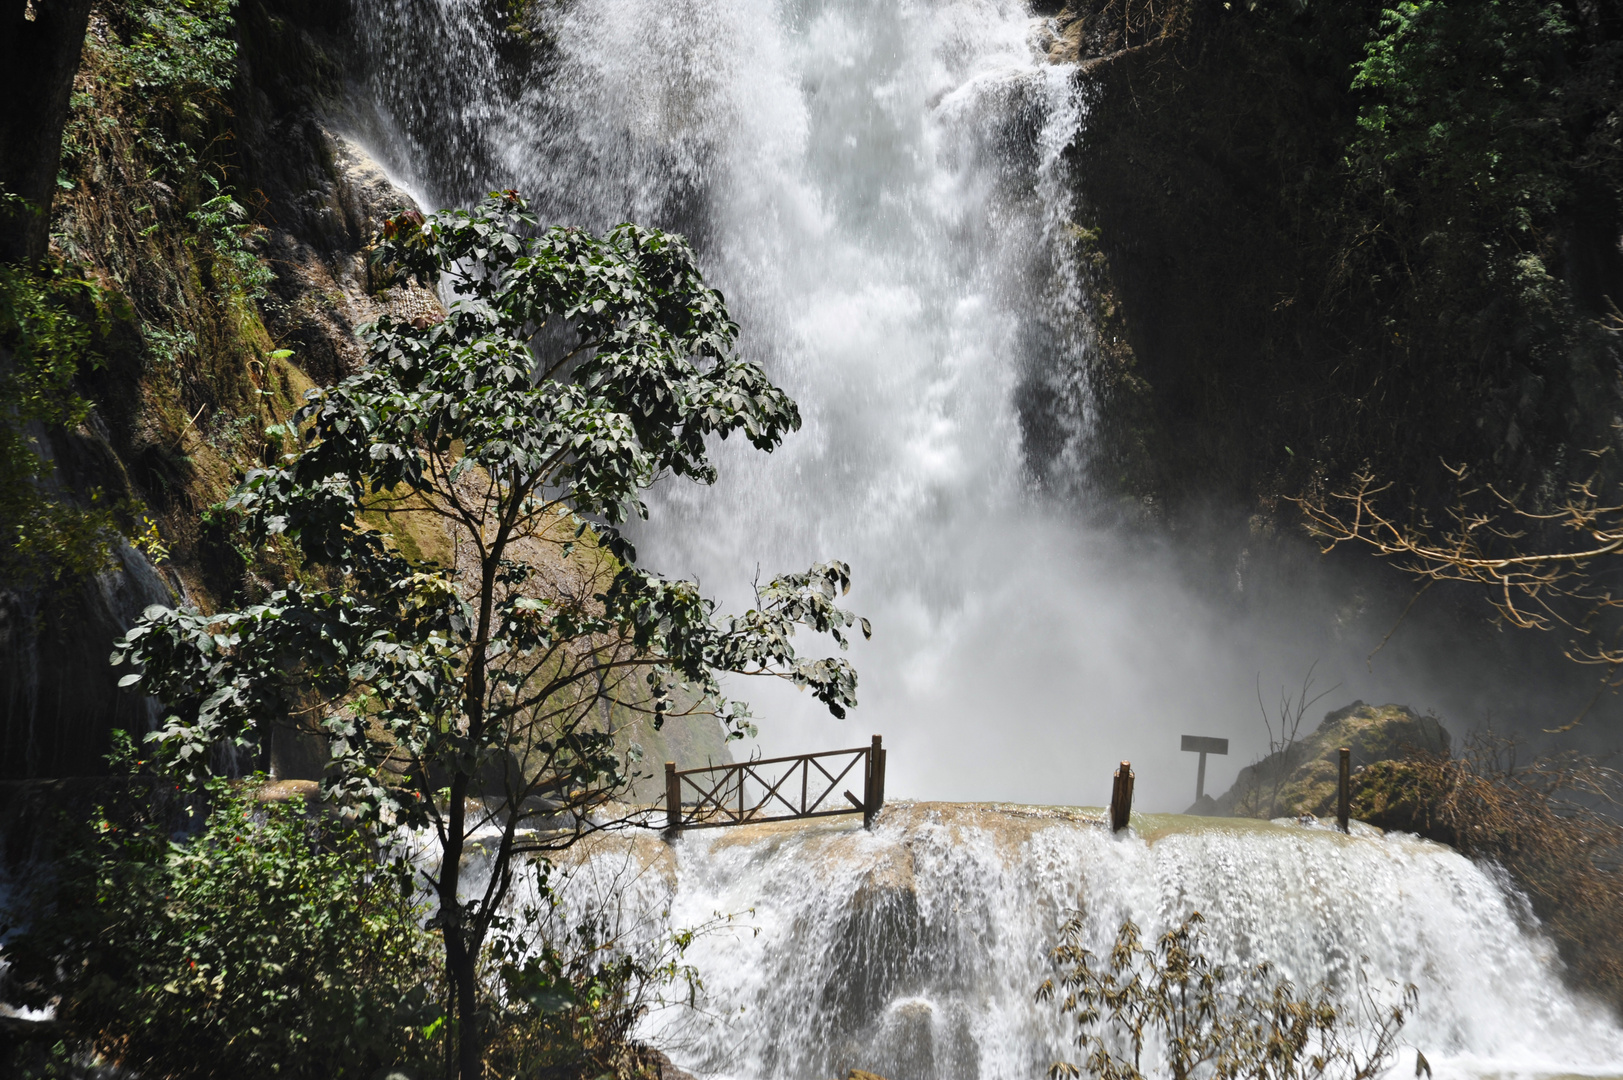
x: 1327, y: 240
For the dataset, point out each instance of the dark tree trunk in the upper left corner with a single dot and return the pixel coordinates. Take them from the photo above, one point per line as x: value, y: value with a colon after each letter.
x: 40, y: 56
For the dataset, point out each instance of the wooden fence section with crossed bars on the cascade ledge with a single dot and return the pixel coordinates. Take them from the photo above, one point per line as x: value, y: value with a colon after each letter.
x: 777, y: 790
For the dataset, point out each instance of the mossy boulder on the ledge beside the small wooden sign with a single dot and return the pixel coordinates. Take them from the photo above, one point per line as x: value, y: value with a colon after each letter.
x: 1302, y: 779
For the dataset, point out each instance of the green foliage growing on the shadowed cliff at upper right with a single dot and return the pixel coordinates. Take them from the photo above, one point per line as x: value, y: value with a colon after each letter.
x: 1471, y: 136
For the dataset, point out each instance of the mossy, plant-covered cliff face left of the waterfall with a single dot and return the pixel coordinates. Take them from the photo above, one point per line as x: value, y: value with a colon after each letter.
x: 210, y: 321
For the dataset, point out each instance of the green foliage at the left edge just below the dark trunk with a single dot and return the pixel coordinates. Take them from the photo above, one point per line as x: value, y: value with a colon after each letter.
x: 45, y: 347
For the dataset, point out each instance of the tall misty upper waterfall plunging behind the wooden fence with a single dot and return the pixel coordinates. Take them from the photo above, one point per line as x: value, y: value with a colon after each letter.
x: 882, y: 192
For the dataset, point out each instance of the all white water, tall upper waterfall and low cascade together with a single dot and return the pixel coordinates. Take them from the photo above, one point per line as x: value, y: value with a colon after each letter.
x: 880, y: 189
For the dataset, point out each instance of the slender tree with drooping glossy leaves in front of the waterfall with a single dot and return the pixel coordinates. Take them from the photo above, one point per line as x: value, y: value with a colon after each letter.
x: 567, y: 378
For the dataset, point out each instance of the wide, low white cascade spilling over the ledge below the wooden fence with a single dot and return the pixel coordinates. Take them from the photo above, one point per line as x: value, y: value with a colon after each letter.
x: 915, y: 951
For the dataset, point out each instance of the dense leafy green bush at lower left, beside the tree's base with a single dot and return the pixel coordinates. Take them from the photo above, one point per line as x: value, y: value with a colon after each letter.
x: 270, y: 943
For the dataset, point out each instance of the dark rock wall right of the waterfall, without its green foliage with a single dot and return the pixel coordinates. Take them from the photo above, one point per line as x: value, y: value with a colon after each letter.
x: 1286, y: 326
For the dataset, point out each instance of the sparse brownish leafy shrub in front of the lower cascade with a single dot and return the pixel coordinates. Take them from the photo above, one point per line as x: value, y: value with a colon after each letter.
x: 1171, y: 1011
